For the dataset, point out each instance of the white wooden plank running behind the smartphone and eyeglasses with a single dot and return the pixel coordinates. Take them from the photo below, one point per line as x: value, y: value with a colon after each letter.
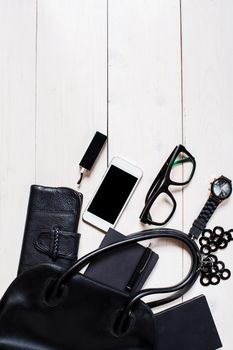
x: 145, y: 120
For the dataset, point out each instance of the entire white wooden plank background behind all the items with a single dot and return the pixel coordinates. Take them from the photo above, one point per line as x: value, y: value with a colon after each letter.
x: 151, y: 74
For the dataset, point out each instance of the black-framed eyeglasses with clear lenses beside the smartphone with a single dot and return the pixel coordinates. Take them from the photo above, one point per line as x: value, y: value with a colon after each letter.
x: 160, y: 204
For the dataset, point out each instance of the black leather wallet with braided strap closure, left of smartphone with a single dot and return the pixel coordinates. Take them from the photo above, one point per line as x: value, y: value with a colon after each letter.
x: 50, y: 234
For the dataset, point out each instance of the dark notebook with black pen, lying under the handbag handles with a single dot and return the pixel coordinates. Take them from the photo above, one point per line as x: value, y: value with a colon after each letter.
x: 125, y: 268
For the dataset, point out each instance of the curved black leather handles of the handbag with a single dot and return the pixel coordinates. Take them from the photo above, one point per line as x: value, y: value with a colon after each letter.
x: 177, y: 290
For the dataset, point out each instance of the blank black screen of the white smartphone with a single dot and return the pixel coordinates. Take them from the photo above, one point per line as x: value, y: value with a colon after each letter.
x: 112, y: 194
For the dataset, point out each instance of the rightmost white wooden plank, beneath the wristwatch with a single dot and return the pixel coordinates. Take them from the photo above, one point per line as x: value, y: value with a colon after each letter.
x: 208, y: 123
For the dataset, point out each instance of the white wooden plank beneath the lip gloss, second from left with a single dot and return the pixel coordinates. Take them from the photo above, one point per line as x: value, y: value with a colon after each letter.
x: 71, y: 95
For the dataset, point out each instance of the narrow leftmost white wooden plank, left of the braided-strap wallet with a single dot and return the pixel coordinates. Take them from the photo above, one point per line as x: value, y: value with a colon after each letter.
x: 17, y: 131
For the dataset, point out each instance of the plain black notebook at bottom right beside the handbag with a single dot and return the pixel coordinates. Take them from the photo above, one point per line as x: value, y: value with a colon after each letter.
x: 188, y: 326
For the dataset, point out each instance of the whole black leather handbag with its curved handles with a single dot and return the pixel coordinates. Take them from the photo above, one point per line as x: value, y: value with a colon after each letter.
x: 50, y: 308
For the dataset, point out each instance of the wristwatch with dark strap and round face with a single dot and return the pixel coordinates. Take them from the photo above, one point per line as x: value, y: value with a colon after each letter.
x: 221, y: 189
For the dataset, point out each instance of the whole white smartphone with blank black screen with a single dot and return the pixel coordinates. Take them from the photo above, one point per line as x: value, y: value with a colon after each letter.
x: 112, y: 195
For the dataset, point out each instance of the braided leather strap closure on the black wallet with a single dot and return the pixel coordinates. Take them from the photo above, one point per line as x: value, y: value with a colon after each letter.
x: 57, y: 244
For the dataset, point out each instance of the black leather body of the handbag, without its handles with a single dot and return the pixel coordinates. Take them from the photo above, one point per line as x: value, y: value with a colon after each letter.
x: 83, y: 319
